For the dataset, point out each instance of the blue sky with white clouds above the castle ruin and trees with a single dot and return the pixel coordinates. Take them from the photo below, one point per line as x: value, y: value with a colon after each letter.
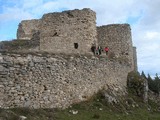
x: 142, y: 15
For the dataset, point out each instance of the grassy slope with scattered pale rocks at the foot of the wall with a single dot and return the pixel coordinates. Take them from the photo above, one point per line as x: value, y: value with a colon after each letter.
x: 95, y: 109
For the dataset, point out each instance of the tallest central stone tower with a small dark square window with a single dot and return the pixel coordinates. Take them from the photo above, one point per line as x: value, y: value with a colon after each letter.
x: 68, y: 32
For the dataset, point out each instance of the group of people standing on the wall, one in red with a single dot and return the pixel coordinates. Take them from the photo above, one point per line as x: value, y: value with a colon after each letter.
x: 98, y: 50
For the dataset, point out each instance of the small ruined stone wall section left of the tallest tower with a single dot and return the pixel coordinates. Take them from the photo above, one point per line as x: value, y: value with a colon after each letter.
x: 27, y: 28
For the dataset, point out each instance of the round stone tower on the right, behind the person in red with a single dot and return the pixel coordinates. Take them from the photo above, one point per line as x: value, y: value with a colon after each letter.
x: 117, y: 37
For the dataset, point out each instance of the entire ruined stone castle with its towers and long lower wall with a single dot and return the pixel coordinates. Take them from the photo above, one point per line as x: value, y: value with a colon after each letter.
x: 51, y: 63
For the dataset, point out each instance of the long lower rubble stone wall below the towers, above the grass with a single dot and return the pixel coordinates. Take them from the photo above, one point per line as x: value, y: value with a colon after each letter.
x: 52, y: 81
